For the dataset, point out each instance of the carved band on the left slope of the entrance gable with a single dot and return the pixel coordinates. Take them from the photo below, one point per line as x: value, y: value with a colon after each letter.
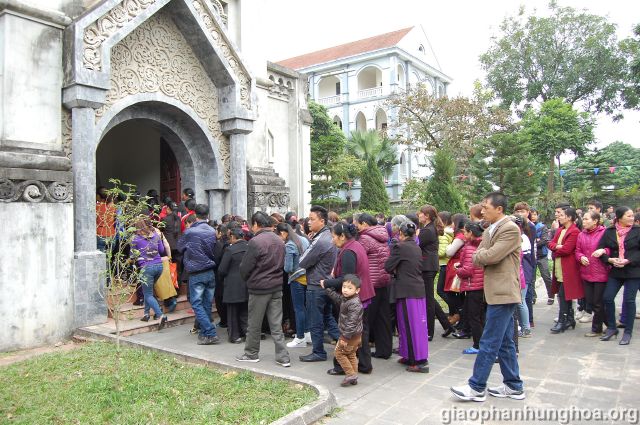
x: 96, y: 33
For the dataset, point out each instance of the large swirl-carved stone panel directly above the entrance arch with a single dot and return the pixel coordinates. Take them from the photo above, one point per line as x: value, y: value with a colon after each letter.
x: 155, y: 57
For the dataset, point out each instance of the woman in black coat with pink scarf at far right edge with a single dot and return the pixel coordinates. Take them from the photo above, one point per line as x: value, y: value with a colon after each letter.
x: 620, y: 248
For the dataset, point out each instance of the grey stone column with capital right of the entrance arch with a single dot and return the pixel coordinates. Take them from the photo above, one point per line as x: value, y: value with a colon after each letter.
x: 237, y: 130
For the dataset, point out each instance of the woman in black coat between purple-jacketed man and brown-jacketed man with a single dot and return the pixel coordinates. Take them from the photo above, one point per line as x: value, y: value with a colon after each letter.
x: 235, y: 295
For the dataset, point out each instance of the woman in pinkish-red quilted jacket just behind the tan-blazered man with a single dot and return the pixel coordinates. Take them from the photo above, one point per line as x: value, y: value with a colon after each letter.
x: 472, y: 284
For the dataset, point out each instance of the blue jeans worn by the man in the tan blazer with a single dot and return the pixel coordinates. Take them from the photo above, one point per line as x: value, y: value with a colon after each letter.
x: 497, y: 341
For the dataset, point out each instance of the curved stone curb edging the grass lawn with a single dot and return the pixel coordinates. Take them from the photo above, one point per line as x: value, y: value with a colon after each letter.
x: 309, y: 414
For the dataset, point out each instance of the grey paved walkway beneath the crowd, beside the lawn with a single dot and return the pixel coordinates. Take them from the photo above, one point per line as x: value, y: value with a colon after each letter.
x: 565, y: 371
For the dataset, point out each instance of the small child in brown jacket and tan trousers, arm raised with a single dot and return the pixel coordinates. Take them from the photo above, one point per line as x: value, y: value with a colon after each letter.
x: 350, y: 325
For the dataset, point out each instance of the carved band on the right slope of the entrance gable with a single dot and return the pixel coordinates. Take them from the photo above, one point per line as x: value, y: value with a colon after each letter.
x: 227, y: 51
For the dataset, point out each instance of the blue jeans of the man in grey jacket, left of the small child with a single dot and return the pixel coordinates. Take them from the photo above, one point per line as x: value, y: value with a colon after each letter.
x: 319, y: 307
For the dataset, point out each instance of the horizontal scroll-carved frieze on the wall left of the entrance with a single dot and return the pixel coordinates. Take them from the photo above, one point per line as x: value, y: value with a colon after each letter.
x: 34, y: 191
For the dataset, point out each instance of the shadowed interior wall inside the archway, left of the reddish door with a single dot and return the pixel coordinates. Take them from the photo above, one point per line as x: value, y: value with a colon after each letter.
x: 130, y: 152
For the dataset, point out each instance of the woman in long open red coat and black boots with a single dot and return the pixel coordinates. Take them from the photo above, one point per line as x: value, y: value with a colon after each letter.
x: 566, y: 273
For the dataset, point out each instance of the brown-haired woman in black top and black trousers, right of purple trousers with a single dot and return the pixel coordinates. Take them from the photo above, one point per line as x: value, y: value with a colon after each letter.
x: 428, y: 242
